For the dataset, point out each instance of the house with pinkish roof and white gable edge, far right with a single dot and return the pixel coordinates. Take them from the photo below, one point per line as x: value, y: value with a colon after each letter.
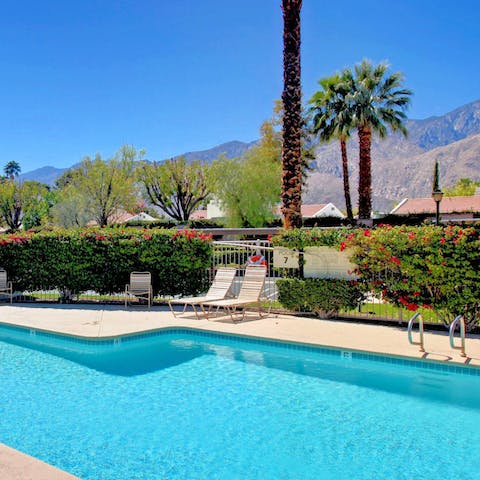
x: 464, y: 207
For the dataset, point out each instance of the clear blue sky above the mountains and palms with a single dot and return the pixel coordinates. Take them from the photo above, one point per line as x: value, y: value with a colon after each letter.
x: 85, y: 76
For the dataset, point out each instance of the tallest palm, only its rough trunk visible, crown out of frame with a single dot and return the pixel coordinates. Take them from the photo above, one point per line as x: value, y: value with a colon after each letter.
x: 292, y: 163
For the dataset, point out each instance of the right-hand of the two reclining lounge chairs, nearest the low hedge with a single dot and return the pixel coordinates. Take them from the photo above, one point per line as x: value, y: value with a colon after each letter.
x: 249, y: 295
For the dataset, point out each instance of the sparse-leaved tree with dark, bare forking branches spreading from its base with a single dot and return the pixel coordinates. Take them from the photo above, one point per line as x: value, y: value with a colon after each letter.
x: 176, y: 186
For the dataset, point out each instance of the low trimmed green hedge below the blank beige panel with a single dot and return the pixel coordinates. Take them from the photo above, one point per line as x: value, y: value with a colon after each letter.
x: 324, y: 297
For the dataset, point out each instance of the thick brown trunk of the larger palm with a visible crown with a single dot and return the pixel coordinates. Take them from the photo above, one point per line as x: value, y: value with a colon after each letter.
x: 365, y: 173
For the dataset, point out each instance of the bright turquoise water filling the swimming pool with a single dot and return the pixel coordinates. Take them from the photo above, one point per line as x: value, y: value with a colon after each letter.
x: 191, y: 407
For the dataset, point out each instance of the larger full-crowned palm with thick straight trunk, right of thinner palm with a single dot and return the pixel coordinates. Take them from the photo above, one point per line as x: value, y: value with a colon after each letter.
x: 377, y: 103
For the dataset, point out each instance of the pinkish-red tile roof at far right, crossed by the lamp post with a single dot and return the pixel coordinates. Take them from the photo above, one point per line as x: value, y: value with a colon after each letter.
x: 448, y: 205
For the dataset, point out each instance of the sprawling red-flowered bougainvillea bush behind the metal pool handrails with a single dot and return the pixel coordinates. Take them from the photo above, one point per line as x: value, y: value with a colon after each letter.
x: 429, y: 266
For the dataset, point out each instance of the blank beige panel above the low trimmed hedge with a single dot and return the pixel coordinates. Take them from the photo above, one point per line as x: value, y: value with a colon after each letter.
x: 327, y: 262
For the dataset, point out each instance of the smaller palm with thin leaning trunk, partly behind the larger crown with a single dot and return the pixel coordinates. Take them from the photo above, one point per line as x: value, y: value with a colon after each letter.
x: 333, y: 120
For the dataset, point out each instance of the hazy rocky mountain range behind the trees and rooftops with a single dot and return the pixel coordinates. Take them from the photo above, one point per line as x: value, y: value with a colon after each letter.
x: 401, y: 167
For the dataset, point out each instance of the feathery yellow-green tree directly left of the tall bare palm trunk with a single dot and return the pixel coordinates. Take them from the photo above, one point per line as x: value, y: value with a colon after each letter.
x: 249, y: 187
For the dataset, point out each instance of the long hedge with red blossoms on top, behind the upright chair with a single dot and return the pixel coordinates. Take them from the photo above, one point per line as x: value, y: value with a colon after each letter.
x: 102, y: 259
